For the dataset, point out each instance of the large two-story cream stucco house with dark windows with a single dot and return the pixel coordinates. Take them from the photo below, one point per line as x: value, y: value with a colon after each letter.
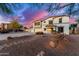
x: 54, y: 23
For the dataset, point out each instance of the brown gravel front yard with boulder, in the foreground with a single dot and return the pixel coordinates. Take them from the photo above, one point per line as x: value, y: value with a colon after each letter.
x: 47, y: 45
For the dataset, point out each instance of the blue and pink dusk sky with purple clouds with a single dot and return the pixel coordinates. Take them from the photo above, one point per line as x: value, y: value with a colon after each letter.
x: 27, y: 13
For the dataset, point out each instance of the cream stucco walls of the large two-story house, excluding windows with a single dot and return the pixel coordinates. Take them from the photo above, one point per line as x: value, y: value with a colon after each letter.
x: 65, y: 24
